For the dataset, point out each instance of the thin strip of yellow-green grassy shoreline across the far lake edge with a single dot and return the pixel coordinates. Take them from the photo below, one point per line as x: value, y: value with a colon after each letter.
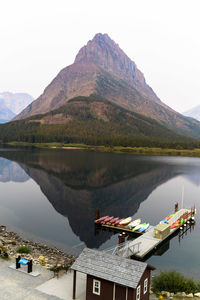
x: 115, y: 149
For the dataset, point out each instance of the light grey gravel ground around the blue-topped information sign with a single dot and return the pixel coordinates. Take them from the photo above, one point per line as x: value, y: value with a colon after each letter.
x: 18, y: 286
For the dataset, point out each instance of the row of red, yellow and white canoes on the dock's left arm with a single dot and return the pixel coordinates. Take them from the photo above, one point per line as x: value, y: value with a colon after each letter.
x: 134, y: 225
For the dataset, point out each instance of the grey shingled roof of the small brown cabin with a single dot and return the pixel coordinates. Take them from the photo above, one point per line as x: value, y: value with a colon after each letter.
x: 110, y: 267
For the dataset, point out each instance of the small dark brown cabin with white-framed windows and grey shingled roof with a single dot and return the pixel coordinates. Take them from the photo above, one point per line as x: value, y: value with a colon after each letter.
x: 110, y: 277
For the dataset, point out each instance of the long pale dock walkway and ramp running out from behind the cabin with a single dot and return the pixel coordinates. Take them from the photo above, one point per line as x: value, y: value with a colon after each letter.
x: 147, y: 242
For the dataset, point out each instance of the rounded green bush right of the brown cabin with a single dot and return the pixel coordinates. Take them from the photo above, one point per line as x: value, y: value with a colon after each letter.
x: 173, y: 282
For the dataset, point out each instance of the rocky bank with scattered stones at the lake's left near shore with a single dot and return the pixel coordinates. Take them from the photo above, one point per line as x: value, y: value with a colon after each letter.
x: 44, y: 255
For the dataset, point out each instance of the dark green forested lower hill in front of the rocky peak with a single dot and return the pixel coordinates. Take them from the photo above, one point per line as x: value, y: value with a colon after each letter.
x: 80, y: 122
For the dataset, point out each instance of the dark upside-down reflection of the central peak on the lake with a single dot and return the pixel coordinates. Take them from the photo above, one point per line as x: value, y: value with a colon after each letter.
x: 76, y: 184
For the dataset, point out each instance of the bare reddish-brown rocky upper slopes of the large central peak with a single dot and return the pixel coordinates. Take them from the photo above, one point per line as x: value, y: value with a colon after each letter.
x: 102, y: 68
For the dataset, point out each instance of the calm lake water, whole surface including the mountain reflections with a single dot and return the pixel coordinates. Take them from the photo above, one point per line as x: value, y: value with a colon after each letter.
x: 51, y: 196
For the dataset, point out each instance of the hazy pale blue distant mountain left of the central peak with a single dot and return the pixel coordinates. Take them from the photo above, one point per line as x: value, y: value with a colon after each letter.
x: 12, y: 104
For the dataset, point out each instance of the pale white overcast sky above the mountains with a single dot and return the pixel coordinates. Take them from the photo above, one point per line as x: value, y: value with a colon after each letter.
x: 38, y: 38
